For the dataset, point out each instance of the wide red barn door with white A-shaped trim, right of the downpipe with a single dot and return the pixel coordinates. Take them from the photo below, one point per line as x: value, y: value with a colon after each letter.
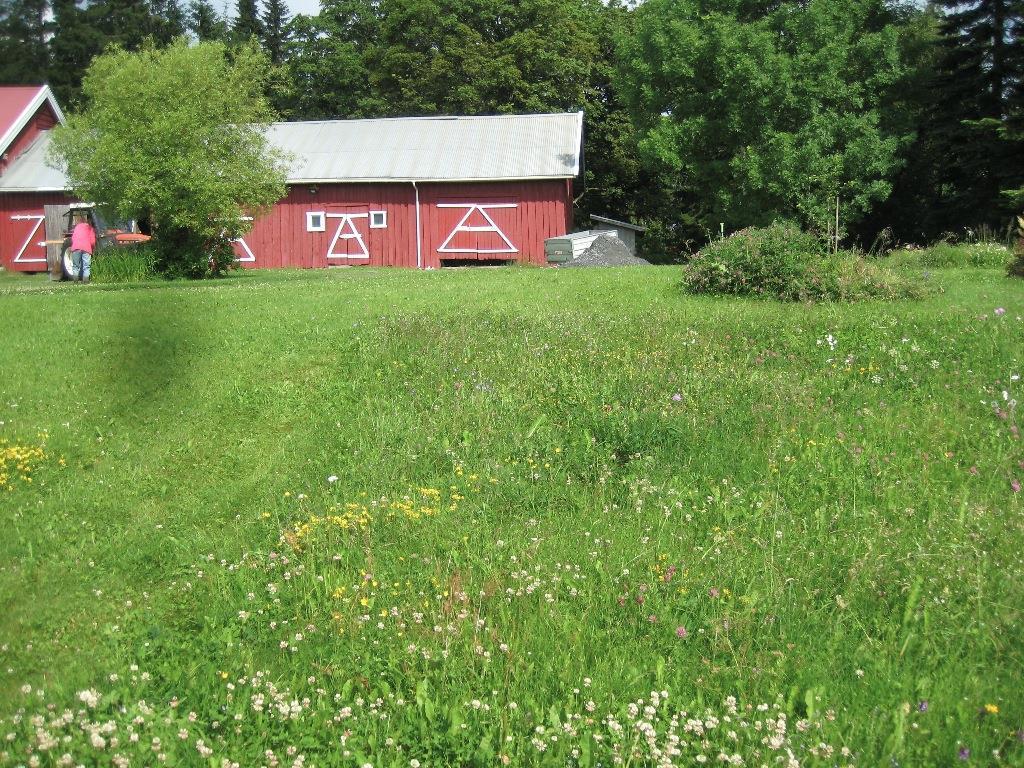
x: 482, y: 229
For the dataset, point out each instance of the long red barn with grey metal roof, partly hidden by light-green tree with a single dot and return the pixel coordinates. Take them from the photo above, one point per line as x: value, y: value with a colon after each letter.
x: 404, y: 192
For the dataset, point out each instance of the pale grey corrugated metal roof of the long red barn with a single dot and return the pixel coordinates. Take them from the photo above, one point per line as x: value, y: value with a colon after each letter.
x: 463, y: 149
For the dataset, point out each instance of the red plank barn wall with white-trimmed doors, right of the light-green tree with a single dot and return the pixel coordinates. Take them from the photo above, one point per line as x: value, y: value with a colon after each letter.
x: 493, y: 221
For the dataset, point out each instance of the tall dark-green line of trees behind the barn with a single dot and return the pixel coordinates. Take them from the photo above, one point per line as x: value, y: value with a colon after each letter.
x: 898, y: 121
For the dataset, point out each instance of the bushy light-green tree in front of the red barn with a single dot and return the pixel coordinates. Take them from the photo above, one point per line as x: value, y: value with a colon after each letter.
x: 194, y: 167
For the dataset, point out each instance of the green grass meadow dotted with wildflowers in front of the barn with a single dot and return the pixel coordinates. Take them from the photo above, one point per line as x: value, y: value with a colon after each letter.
x: 557, y: 493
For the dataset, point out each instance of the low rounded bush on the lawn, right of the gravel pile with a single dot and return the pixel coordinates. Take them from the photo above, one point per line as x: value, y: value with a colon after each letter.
x: 784, y: 263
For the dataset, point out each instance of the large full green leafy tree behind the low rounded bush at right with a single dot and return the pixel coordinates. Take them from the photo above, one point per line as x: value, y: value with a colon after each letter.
x: 767, y: 109
